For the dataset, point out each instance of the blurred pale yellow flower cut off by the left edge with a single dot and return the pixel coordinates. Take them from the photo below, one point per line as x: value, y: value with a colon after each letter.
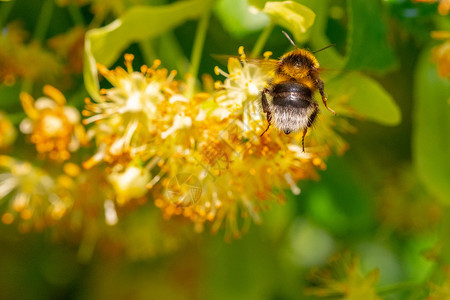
x: 31, y: 193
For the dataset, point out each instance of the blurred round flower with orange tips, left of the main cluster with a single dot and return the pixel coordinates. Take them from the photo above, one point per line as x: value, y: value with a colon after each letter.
x: 55, y: 128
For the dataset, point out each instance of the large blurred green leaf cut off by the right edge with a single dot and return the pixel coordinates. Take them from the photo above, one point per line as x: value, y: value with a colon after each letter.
x: 431, y: 131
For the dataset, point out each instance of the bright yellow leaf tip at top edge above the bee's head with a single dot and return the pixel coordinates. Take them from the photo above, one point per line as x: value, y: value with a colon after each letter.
x: 291, y: 15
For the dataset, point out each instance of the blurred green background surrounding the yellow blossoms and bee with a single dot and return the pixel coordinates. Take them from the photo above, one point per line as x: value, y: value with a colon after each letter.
x: 379, y: 207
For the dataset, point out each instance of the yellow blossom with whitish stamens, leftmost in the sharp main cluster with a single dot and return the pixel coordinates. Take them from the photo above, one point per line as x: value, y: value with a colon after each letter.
x: 136, y: 113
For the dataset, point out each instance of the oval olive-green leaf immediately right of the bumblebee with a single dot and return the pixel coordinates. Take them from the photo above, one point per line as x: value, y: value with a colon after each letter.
x: 366, y: 98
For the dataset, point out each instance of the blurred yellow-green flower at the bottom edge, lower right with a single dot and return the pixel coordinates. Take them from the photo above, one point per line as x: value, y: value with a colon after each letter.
x: 343, y: 279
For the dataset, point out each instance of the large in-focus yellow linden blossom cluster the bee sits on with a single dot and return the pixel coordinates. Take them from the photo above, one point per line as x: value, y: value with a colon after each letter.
x: 145, y: 119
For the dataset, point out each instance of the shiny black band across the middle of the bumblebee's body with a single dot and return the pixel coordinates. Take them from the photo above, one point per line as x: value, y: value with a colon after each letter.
x: 291, y: 94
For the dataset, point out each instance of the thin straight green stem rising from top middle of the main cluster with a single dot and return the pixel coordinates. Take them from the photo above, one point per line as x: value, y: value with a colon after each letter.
x: 197, y: 51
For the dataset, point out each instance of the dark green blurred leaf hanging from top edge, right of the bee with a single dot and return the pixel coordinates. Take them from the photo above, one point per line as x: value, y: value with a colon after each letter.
x: 367, y: 47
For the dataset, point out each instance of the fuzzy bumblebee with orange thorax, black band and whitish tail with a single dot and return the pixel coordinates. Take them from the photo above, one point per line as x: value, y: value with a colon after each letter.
x: 295, y: 79
